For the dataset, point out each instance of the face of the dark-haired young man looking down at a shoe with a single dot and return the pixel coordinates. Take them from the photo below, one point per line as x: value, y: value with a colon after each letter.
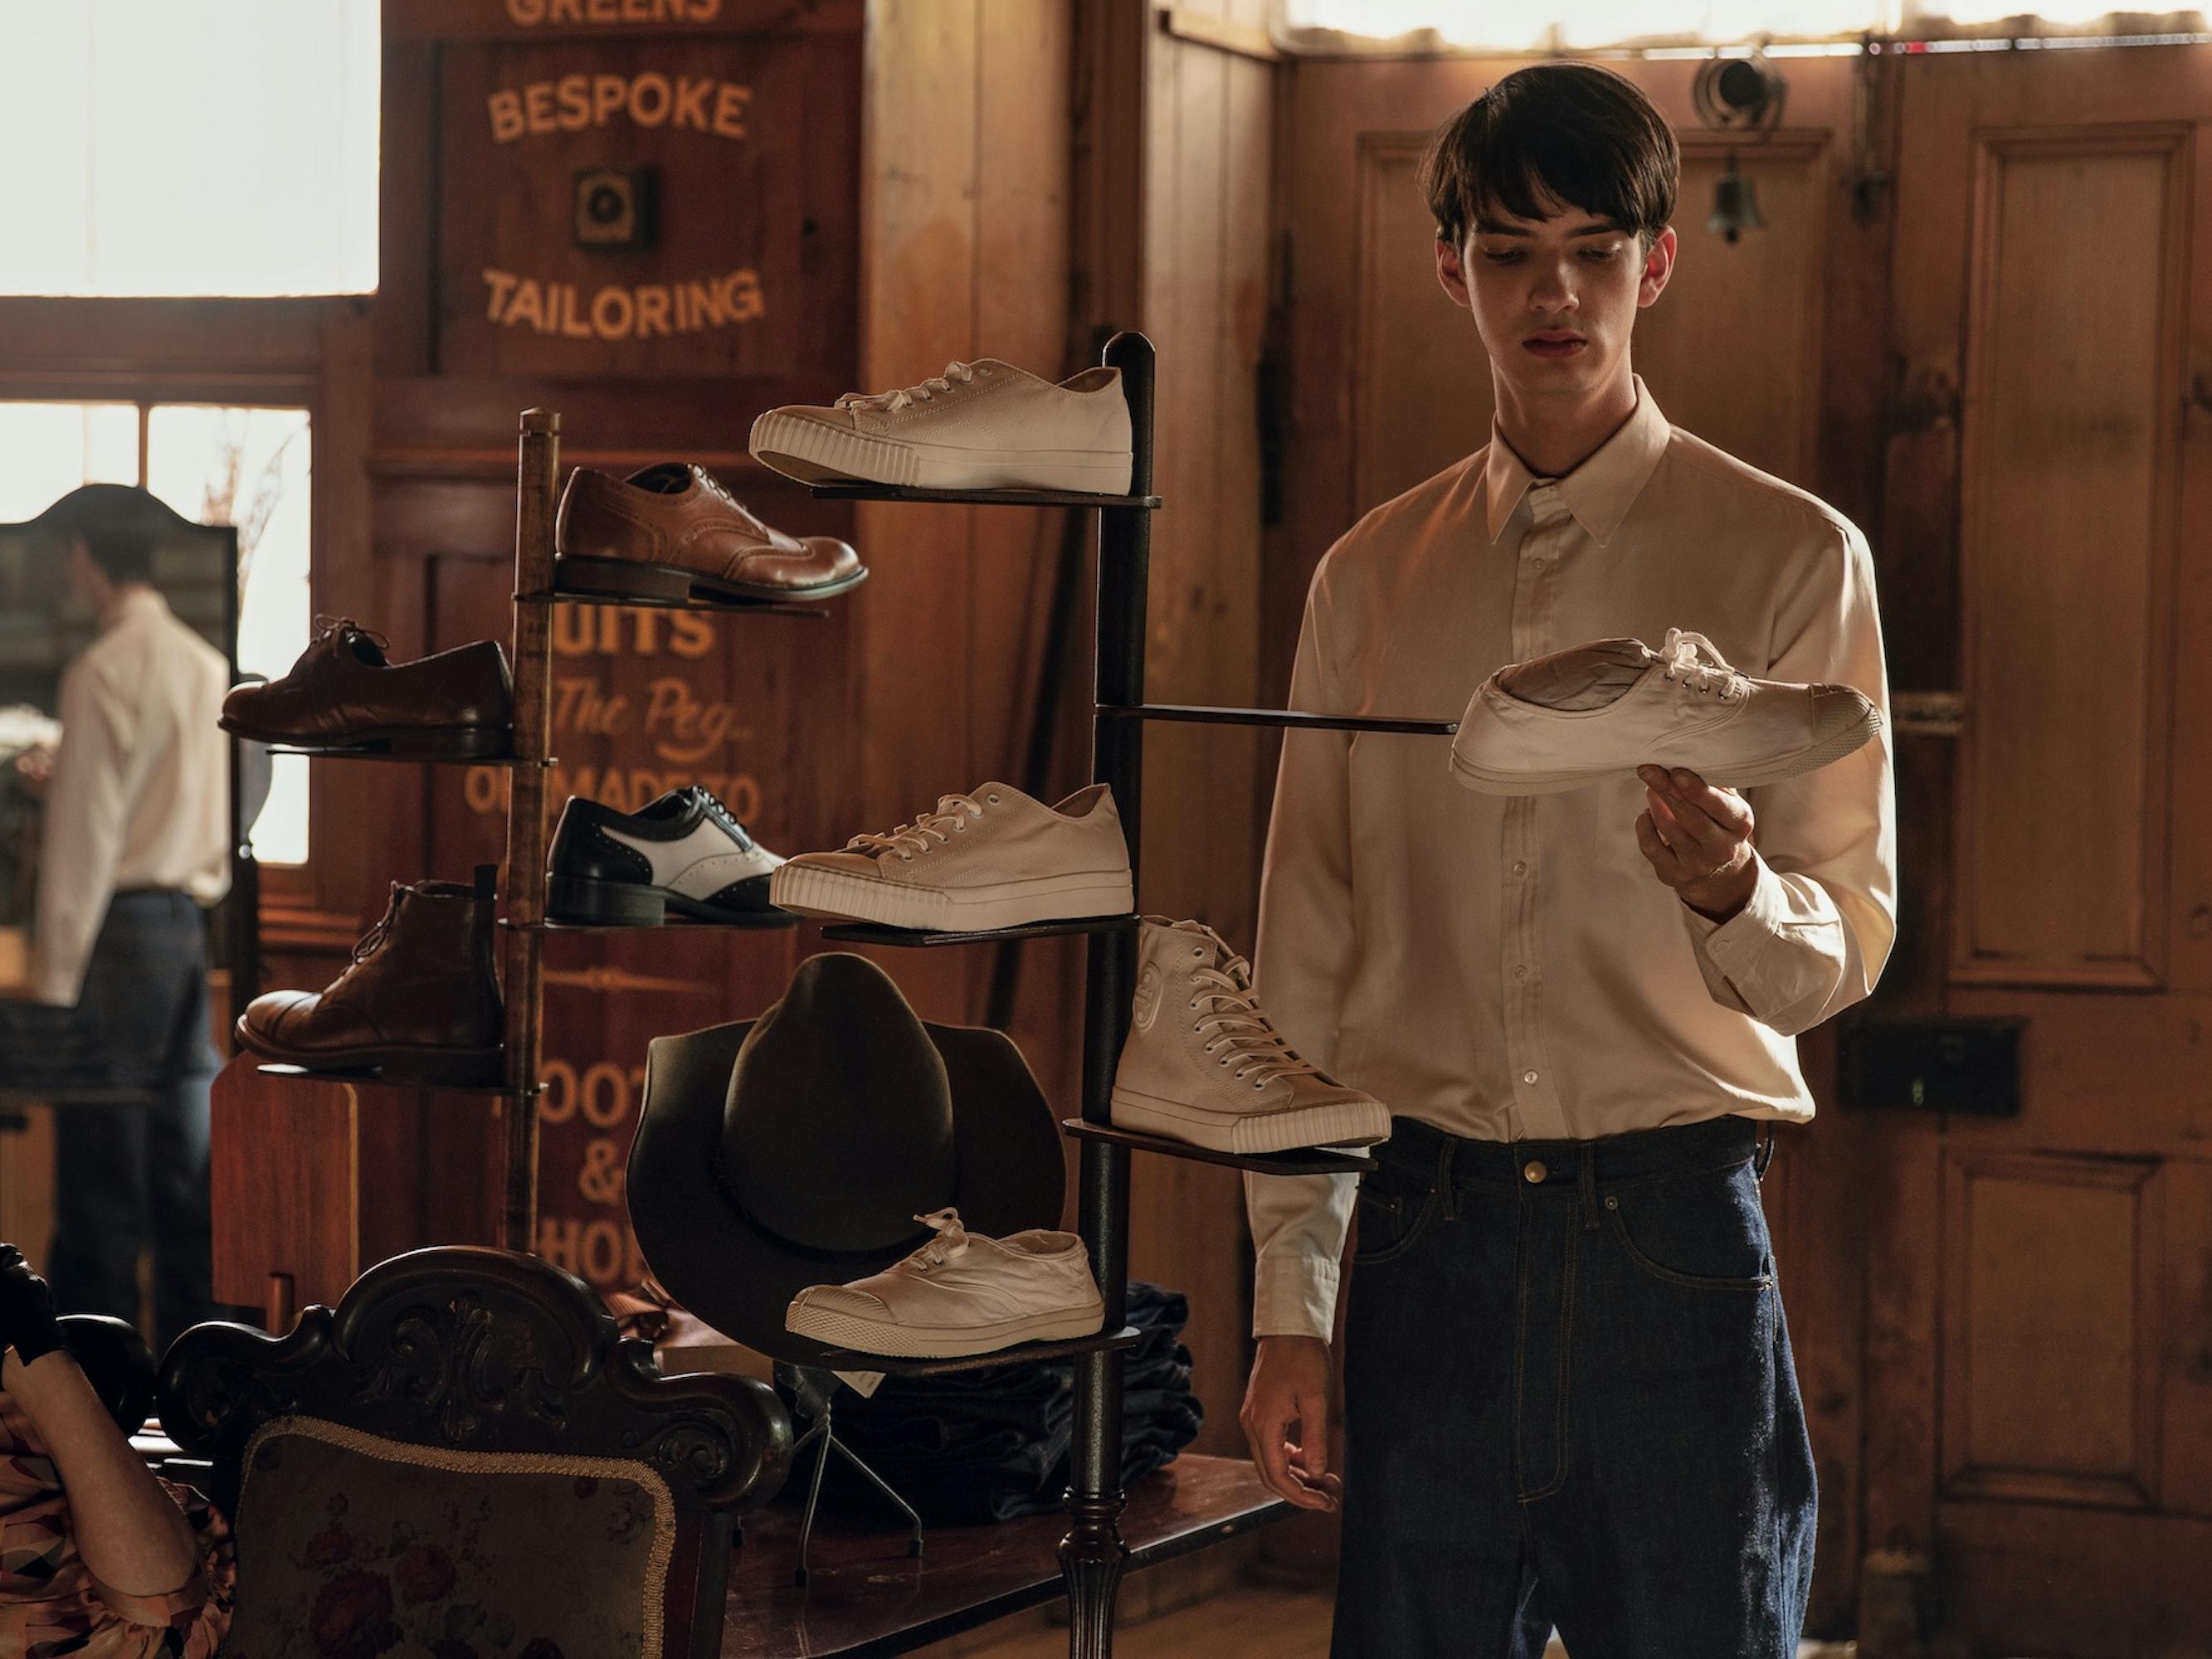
x: 1556, y: 298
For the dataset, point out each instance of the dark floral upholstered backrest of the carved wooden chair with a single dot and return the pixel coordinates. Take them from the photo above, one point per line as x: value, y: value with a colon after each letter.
x: 373, y: 1550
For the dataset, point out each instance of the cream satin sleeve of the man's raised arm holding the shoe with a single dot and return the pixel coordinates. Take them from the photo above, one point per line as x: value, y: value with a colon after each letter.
x: 1819, y: 926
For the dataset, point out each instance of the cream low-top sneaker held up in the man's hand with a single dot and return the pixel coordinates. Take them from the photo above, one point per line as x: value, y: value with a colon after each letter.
x: 1616, y: 705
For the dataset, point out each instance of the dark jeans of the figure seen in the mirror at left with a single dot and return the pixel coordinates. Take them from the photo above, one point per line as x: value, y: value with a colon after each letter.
x: 127, y: 1178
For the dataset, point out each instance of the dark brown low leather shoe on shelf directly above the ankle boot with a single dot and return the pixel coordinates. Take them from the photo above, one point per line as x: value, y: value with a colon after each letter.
x: 346, y: 693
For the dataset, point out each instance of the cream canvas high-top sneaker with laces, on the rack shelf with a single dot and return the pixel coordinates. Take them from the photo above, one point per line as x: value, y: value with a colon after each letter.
x: 1204, y: 1065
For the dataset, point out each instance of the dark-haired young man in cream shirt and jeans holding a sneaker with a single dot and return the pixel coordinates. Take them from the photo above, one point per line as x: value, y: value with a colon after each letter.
x: 1567, y: 1381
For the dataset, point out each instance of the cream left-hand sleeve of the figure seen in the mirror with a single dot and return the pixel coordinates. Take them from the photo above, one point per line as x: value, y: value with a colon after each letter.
x: 87, y: 815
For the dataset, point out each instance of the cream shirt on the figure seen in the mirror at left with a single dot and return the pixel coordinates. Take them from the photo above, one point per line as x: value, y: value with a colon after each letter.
x: 140, y: 789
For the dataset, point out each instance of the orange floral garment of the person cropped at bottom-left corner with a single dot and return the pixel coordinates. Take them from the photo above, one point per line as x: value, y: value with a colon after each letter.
x: 50, y: 1600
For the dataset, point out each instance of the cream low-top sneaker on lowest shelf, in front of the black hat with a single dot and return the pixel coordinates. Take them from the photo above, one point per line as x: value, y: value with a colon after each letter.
x: 959, y: 1295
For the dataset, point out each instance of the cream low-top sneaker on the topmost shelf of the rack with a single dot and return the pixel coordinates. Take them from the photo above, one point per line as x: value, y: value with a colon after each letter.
x: 979, y: 426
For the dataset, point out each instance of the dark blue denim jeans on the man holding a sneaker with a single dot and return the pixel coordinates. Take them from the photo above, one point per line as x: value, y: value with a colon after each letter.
x: 1569, y: 1404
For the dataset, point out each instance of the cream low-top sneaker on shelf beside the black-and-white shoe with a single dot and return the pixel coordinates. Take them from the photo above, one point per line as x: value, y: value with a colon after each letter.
x: 985, y: 859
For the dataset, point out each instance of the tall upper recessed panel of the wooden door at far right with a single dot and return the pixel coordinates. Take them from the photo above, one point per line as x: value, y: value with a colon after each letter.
x: 2072, y: 366
